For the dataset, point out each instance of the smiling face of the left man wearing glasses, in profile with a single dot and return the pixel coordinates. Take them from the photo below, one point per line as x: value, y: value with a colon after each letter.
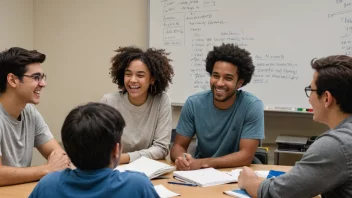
x: 29, y: 89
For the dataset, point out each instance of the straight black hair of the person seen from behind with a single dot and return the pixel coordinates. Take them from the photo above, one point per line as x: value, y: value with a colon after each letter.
x: 90, y: 133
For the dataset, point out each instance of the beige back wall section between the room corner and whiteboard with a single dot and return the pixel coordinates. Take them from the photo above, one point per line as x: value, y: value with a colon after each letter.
x: 79, y: 37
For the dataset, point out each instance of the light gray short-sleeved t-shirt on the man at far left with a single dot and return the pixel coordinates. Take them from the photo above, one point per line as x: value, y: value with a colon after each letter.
x: 18, y: 138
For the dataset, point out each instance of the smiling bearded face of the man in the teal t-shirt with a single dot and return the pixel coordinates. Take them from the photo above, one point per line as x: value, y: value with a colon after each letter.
x: 224, y: 84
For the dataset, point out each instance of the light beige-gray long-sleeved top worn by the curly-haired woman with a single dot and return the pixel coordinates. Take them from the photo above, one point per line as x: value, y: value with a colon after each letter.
x: 148, y: 127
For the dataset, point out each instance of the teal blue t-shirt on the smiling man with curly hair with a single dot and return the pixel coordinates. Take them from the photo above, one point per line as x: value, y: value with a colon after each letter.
x: 219, y: 131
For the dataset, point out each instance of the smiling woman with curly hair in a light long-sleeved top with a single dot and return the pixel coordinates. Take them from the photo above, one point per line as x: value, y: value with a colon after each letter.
x: 142, y: 77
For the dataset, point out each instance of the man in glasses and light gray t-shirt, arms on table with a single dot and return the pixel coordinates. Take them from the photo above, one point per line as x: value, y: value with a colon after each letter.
x: 21, y: 126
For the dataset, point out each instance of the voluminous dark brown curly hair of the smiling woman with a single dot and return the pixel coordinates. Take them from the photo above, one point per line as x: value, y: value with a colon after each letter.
x: 156, y: 60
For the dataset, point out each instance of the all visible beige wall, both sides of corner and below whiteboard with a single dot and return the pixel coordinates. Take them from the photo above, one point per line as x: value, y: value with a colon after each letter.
x: 78, y: 37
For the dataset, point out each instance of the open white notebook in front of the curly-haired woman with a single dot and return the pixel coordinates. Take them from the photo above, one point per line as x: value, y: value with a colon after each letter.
x: 151, y: 168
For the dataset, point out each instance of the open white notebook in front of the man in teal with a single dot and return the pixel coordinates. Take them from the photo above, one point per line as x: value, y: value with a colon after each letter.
x: 205, y: 177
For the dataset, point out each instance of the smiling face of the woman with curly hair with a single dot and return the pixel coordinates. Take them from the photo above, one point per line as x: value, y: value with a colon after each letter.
x: 137, y: 80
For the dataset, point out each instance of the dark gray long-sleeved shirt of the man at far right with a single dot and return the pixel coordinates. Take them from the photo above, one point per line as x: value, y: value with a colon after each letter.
x: 326, y: 169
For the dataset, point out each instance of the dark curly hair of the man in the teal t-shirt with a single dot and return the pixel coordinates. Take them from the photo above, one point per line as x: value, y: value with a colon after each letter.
x: 232, y: 54
